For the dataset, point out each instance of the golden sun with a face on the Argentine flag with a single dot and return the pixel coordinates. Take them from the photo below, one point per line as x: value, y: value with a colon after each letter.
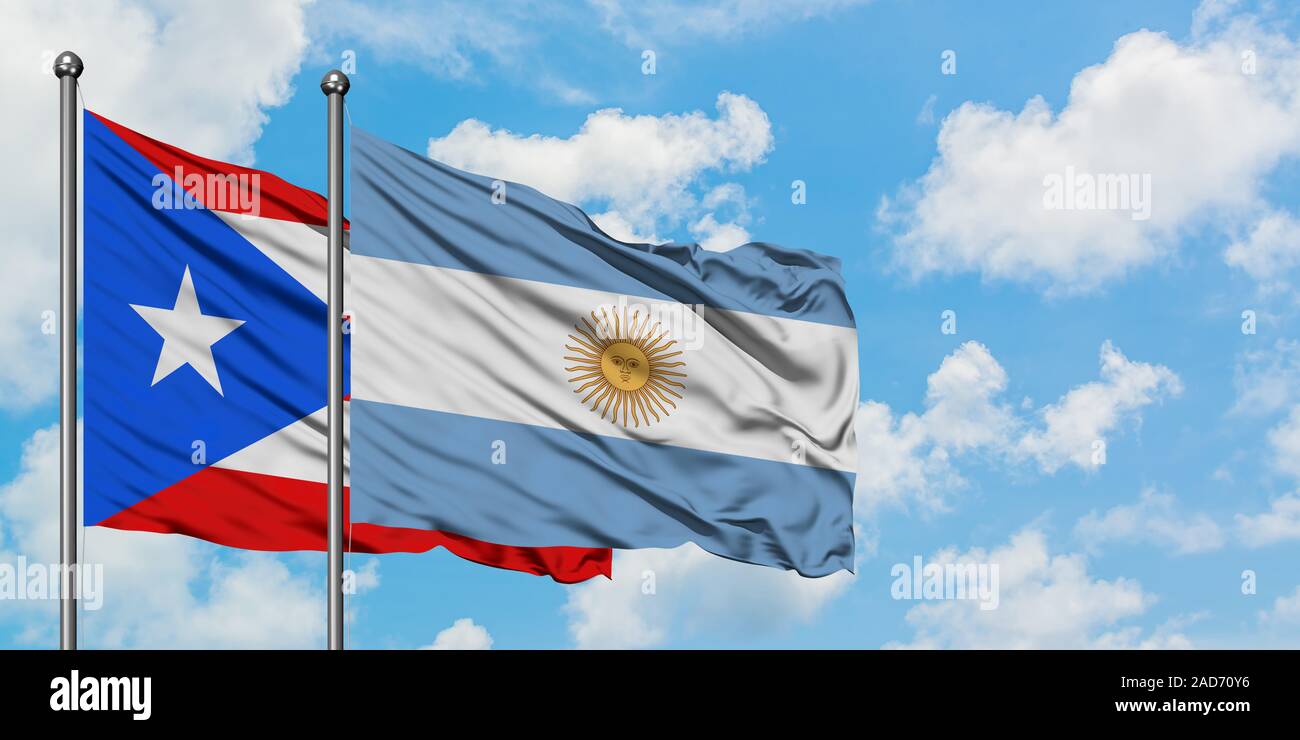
x: 623, y: 365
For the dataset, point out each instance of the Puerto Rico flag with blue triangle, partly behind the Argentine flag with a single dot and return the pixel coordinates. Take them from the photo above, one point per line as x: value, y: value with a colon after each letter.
x: 205, y: 361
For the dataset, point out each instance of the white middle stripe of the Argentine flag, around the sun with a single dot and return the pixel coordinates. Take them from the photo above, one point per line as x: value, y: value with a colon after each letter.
x: 489, y: 347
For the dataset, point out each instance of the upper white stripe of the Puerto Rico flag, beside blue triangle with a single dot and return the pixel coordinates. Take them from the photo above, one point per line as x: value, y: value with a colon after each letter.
x: 298, y: 249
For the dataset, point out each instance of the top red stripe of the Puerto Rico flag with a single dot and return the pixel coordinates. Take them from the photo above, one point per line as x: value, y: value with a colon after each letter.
x: 276, y: 198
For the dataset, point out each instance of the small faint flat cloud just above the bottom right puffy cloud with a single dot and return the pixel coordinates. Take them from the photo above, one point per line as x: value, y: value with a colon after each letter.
x: 1155, y: 520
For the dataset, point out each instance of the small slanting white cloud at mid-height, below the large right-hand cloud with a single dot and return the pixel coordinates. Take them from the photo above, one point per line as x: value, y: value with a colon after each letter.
x: 1091, y: 412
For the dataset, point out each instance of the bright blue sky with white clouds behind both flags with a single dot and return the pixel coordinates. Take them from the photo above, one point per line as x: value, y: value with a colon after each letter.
x: 925, y: 185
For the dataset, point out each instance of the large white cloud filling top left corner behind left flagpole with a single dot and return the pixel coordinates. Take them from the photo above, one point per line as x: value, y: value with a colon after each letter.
x: 166, y: 86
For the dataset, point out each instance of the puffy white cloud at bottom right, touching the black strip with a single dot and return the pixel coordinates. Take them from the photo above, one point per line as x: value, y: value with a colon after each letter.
x: 1046, y: 601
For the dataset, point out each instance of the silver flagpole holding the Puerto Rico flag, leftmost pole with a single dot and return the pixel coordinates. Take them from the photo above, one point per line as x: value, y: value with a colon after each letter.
x: 68, y: 68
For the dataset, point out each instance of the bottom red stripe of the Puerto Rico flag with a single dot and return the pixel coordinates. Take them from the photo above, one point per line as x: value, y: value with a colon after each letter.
x: 257, y: 512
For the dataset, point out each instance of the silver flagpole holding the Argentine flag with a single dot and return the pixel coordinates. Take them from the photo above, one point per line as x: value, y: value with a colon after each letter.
x: 335, y: 86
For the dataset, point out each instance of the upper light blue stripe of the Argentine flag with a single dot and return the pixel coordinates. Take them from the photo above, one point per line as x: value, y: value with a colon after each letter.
x: 409, y: 207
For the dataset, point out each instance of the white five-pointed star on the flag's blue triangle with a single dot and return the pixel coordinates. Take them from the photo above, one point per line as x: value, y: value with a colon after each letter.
x: 188, y: 335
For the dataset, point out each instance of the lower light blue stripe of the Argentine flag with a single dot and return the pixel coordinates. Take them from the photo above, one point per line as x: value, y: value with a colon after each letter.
x: 428, y: 470
